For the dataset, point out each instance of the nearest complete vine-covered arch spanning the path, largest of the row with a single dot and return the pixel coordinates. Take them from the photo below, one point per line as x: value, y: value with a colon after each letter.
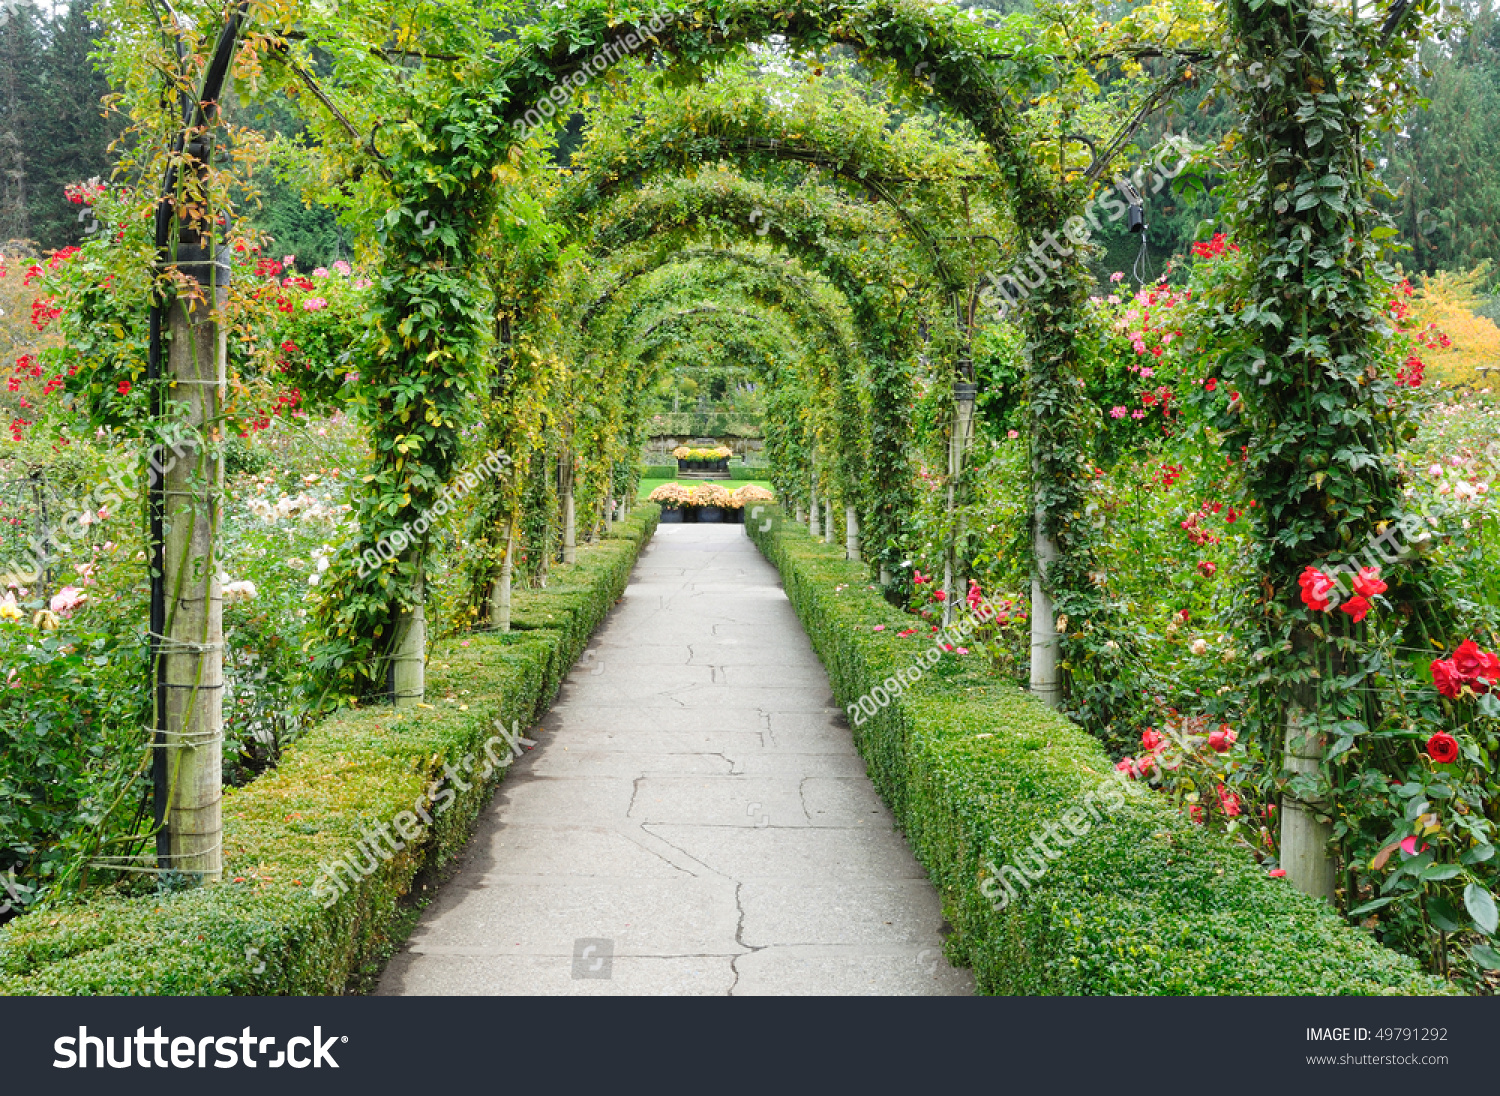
x: 430, y: 314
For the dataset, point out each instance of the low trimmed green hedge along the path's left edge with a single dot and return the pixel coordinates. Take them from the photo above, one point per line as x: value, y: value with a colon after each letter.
x: 262, y: 930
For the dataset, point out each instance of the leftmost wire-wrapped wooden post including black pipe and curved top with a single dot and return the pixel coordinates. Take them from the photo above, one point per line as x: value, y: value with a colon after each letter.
x: 184, y: 493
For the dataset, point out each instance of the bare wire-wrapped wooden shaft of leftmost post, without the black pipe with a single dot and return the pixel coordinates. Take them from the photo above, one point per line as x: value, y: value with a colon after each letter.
x: 193, y: 642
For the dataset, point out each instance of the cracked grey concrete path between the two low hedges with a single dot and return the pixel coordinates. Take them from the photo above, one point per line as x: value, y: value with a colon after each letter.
x: 695, y: 819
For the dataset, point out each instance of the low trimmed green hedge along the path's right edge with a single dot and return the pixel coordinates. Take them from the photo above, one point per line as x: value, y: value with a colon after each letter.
x: 1145, y: 905
